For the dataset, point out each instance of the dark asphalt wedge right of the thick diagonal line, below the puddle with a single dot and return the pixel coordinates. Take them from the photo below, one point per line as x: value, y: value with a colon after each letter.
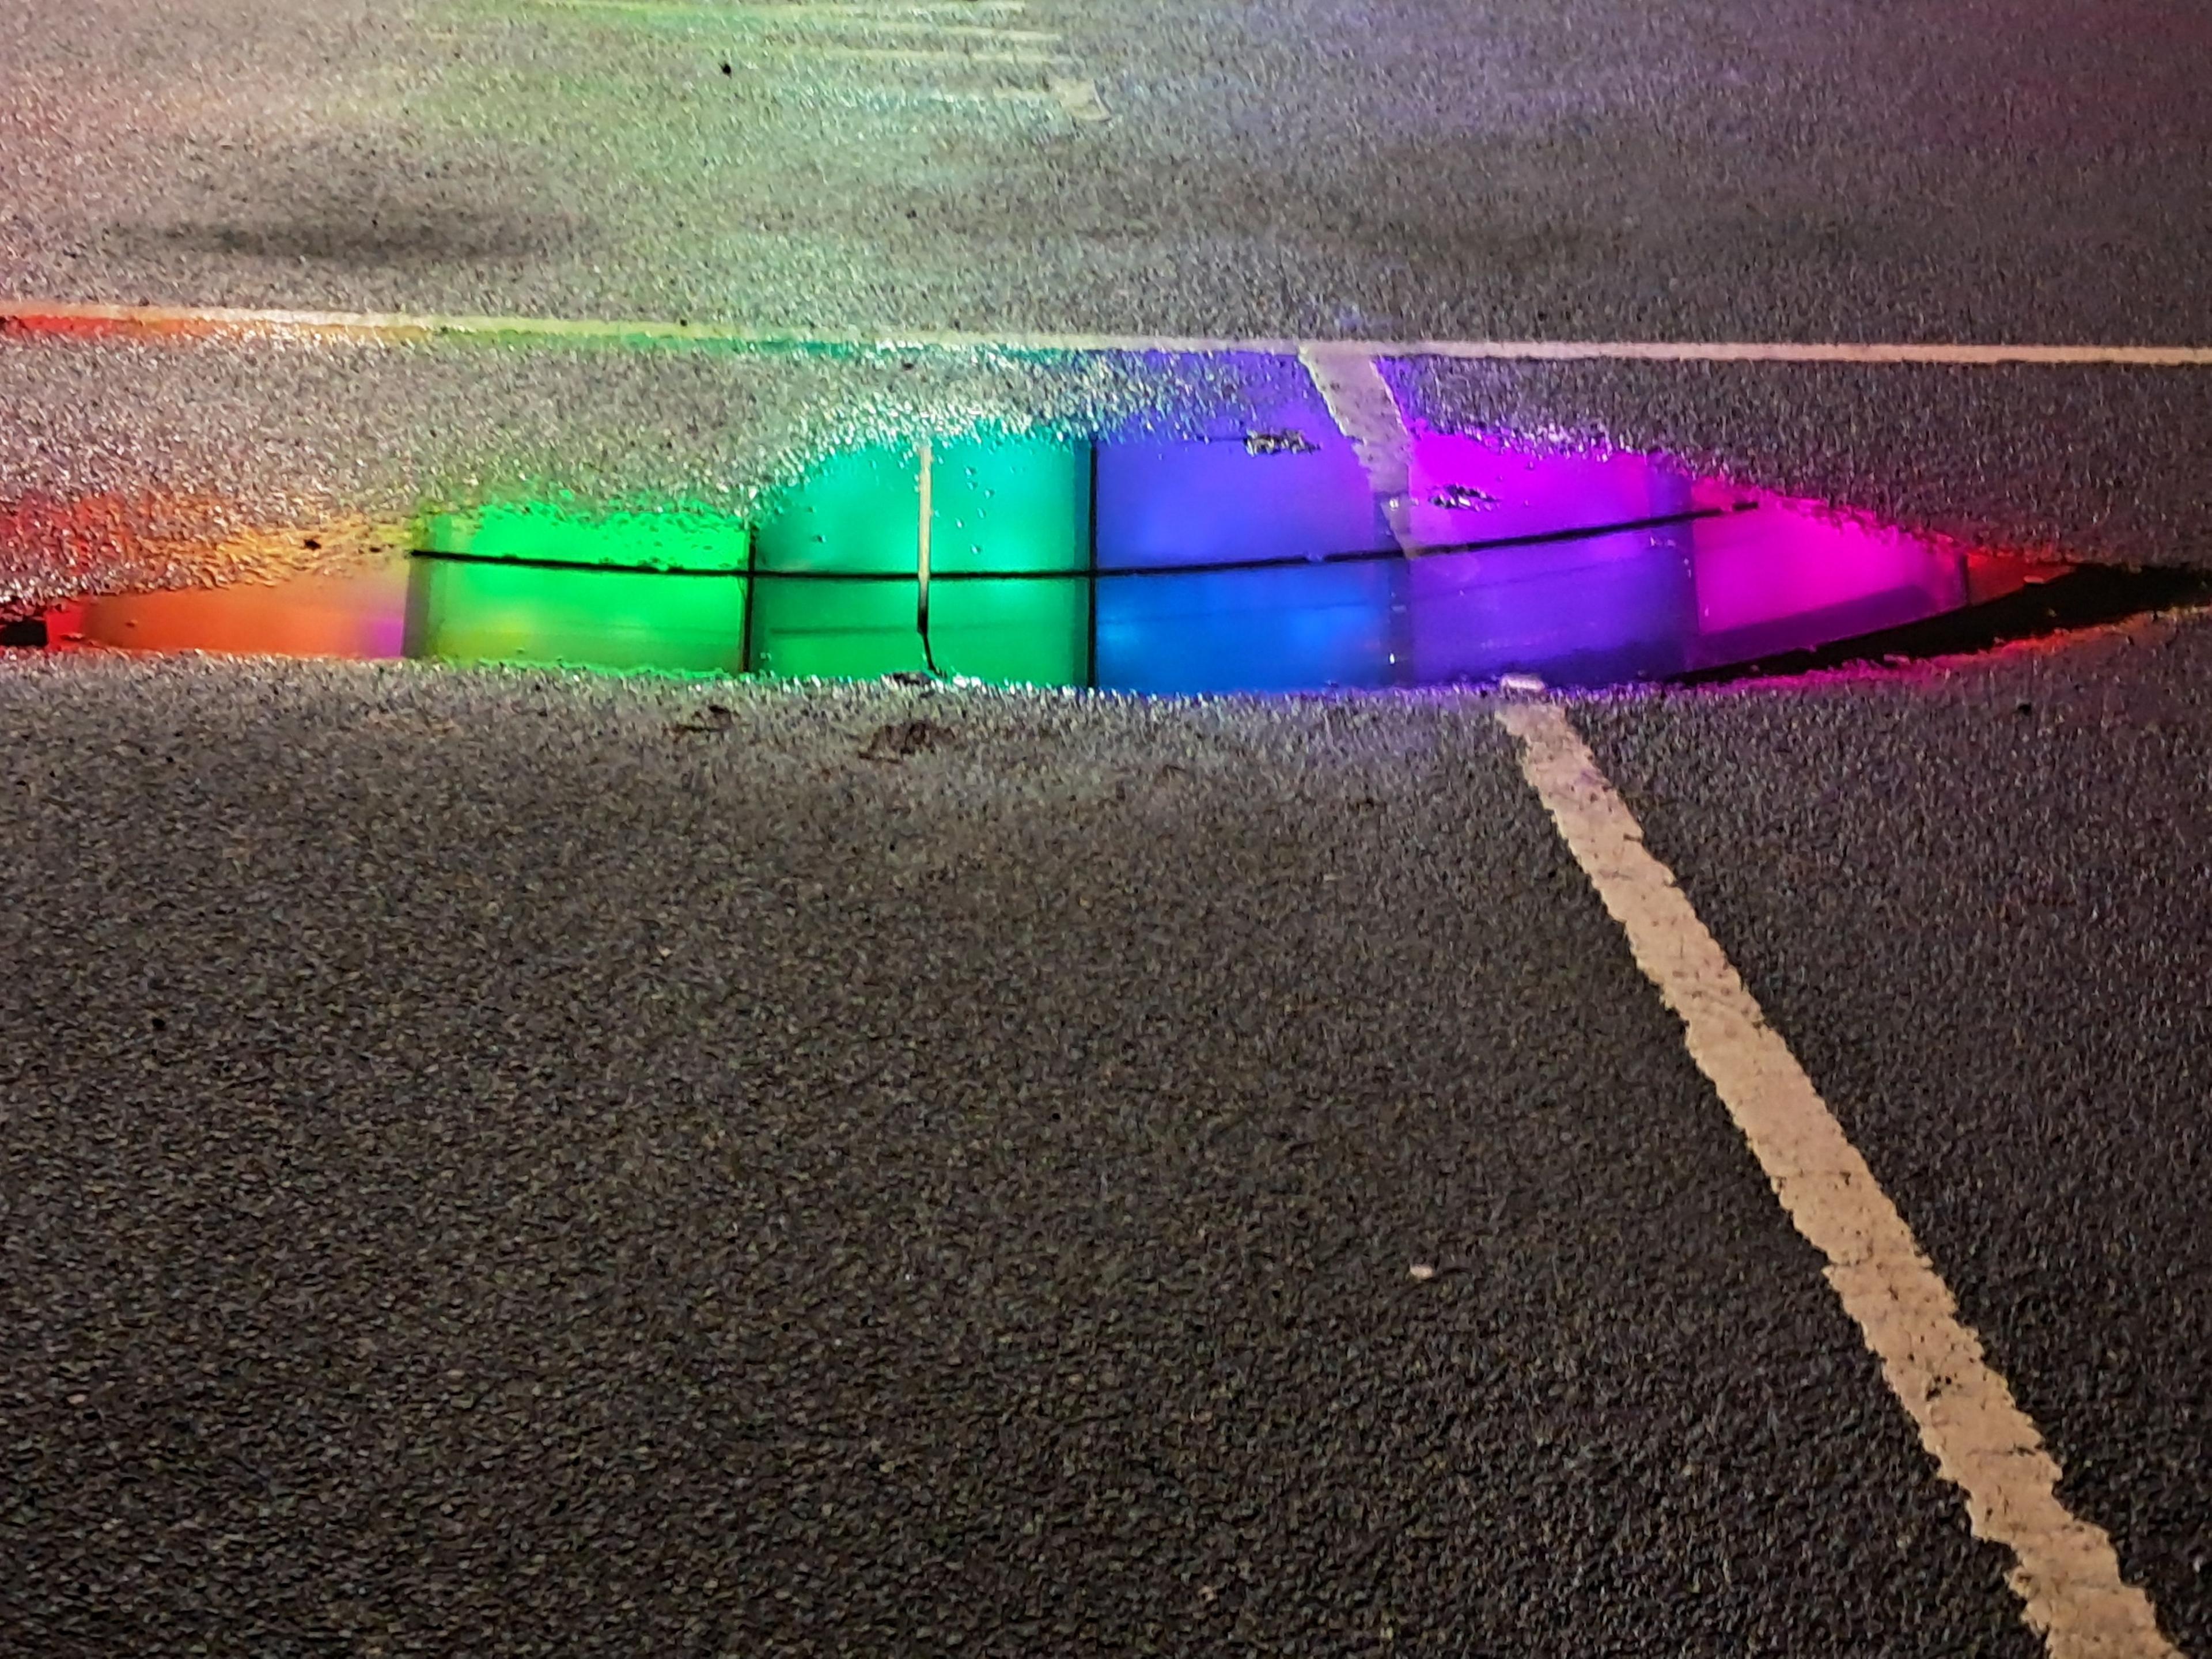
x: 1976, y: 908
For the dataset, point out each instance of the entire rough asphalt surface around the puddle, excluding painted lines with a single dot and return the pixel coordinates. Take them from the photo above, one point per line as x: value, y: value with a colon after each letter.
x: 534, y: 1165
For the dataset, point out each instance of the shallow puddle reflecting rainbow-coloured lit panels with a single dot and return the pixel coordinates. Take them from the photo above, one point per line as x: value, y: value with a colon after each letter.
x: 1253, y: 561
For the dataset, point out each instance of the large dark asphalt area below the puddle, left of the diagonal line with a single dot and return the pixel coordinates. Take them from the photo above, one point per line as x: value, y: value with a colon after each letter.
x: 528, y: 1165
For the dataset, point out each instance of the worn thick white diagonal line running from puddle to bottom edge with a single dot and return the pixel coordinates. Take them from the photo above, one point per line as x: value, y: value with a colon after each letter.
x: 1983, y: 1443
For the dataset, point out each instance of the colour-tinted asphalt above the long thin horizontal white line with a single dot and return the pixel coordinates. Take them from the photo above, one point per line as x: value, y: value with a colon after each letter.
x: 1768, y: 169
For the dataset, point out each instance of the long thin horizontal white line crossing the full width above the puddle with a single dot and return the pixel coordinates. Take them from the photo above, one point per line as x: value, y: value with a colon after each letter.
x: 63, y: 317
